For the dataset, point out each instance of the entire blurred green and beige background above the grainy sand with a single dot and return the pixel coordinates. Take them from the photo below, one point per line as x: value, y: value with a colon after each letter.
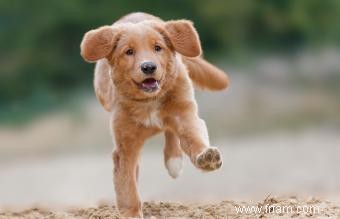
x: 277, y: 125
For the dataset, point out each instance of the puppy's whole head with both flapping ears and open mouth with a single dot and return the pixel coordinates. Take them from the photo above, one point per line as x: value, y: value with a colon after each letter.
x: 142, y: 55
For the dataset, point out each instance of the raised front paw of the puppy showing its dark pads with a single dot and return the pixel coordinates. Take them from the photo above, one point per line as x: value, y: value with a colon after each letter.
x: 209, y: 160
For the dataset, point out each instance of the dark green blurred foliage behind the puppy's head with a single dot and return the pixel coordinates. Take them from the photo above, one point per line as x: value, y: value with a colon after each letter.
x: 39, y: 40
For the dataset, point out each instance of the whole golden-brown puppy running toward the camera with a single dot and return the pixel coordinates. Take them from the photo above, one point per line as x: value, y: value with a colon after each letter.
x: 144, y: 74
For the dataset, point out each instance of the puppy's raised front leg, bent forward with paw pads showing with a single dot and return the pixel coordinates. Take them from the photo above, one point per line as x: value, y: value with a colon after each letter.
x: 193, y: 135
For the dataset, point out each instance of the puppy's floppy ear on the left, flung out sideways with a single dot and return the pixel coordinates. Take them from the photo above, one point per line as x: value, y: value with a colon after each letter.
x: 98, y: 43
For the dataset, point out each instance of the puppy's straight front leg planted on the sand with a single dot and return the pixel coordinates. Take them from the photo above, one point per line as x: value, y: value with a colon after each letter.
x: 128, y: 145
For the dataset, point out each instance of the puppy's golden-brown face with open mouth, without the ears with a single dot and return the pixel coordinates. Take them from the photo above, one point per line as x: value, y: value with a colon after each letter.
x: 141, y: 60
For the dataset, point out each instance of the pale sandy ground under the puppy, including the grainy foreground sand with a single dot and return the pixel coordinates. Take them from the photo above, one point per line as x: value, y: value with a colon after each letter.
x: 44, y: 188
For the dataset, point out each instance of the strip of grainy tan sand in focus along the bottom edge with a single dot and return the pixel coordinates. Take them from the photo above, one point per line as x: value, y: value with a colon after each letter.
x: 223, y: 209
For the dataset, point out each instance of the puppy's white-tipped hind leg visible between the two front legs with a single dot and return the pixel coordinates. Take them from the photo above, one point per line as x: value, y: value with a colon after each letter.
x: 173, y: 158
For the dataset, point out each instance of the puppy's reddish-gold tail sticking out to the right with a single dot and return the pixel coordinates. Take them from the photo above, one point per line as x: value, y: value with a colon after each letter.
x: 205, y: 75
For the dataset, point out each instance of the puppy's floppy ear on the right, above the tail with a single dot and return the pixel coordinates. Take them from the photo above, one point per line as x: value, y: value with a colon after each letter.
x: 184, y: 38
